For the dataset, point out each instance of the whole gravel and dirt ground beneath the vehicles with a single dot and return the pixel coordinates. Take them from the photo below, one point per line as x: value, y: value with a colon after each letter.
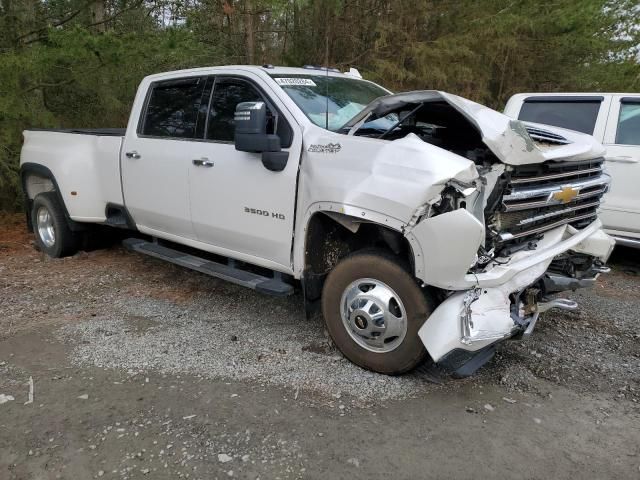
x: 151, y: 344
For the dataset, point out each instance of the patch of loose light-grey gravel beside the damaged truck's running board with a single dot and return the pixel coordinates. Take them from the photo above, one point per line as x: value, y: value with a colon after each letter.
x: 212, y: 340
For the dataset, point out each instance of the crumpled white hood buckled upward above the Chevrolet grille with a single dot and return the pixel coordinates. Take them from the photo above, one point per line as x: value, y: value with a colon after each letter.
x: 507, y: 138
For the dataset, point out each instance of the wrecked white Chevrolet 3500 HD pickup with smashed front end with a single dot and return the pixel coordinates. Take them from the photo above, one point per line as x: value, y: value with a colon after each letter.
x: 421, y: 223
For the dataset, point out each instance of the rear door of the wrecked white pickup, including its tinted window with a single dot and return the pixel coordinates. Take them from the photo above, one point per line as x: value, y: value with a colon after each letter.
x: 157, y: 157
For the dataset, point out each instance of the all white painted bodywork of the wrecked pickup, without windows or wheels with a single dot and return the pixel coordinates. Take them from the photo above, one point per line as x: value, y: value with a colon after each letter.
x: 351, y: 178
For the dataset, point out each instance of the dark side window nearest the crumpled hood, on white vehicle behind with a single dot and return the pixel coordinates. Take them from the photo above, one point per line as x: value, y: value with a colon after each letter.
x: 571, y: 112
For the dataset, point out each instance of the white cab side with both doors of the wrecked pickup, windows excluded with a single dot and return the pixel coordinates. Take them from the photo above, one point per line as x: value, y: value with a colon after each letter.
x: 201, y: 204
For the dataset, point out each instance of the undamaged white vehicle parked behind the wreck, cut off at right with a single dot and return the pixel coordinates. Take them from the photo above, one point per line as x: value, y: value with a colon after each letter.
x: 614, y: 120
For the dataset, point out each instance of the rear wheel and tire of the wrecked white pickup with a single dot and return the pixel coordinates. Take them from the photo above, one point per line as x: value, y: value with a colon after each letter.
x: 50, y: 227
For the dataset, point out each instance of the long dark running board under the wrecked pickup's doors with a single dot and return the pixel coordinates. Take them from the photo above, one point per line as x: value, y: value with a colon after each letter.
x: 270, y: 286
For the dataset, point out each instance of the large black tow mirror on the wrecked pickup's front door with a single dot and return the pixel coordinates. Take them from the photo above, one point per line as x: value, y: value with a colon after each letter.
x: 251, y: 135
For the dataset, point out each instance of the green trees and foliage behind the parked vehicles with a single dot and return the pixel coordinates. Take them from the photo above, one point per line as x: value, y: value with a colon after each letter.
x: 73, y: 63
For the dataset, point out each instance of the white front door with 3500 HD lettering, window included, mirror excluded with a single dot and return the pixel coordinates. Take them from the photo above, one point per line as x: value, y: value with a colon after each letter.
x: 237, y: 205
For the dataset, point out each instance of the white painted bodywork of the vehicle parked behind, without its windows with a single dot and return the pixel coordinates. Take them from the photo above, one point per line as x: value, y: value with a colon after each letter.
x: 621, y: 207
